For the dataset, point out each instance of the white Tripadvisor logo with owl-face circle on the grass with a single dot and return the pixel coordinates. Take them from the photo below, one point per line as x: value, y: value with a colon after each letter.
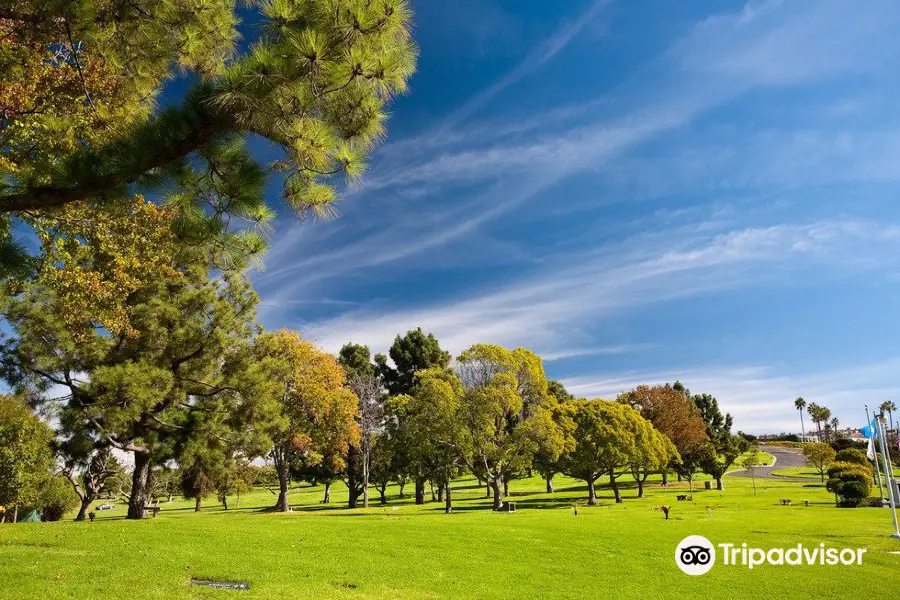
x: 696, y: 555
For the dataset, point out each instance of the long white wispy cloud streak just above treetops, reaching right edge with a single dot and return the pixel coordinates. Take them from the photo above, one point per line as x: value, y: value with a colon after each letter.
x: 548, y: 310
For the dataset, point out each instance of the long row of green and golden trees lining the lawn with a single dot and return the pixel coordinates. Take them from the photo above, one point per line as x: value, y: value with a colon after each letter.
x: 194, y: 380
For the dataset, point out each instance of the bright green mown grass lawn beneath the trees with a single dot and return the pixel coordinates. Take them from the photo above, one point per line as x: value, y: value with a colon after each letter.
x: 403, y: 551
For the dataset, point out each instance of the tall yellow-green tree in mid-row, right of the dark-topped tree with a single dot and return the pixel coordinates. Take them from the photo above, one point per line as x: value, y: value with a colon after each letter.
x: 506, y: 411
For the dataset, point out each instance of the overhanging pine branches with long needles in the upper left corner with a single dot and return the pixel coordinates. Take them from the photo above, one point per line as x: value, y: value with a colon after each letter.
x: 316, y: 83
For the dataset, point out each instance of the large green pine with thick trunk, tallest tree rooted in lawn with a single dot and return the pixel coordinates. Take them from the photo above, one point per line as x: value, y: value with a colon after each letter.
x: 185, y: 369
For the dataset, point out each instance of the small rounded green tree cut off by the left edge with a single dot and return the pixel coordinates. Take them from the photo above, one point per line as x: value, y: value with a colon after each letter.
x: 25, y: 454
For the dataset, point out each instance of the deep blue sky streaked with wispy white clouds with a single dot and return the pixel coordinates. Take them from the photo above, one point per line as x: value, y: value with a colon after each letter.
x: 638, y: 191
